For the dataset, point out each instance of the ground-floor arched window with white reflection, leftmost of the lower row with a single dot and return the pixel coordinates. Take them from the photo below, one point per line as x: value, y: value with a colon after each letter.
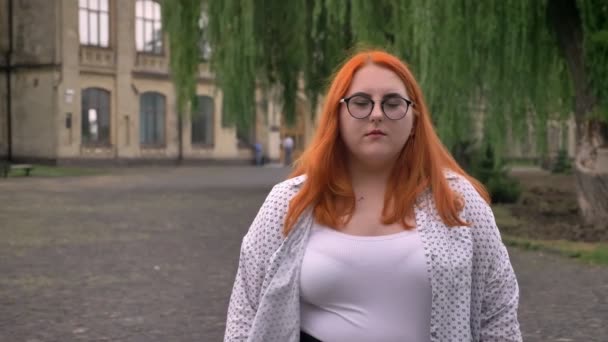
x: 95, y: 116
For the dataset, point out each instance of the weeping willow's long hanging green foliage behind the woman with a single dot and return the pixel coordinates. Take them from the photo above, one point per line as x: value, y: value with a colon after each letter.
x: 514, y: 61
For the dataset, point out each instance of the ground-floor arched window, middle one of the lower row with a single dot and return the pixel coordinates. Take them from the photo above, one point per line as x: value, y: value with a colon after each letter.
x: 152, y: 119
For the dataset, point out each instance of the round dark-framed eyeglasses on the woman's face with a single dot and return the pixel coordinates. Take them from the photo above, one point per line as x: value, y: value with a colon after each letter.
x: 394, y: 107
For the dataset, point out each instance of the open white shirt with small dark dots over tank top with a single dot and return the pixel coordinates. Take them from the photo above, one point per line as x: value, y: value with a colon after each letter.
x: 475, y: 293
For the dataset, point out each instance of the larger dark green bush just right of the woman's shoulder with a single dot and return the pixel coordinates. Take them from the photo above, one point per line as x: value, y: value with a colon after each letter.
x: 493, y: 173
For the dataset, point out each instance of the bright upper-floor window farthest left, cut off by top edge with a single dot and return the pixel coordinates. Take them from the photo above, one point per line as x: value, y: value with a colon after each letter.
x: 94, y: 22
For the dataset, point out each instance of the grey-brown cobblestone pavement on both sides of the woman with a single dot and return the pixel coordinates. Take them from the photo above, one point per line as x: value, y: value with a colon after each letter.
x: 150, y: 254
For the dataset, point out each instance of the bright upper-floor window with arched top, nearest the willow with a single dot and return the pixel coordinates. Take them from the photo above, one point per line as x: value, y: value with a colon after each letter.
x: 148, y: 27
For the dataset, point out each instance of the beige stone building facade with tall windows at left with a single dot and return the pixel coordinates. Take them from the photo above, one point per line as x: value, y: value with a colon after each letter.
x: 89, y: 80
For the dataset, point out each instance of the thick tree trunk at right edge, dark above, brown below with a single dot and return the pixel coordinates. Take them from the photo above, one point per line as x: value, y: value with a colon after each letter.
x: 591, y: 172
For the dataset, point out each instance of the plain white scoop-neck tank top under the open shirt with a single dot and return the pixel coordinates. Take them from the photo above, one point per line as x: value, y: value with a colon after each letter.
x: 365, y: 288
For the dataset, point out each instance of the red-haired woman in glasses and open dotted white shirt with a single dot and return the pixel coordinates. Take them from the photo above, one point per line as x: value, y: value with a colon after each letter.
x: 378, y: 235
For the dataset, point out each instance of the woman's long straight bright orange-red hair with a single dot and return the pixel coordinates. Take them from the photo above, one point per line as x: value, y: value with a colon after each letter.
x: 420, y: 165
